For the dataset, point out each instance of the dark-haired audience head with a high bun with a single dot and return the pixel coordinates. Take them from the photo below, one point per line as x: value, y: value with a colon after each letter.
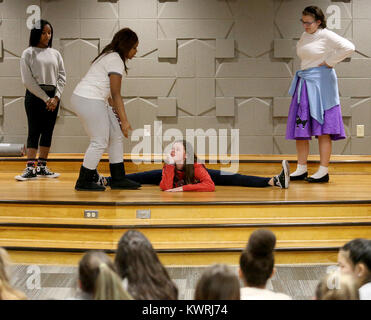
x: 257, y: 260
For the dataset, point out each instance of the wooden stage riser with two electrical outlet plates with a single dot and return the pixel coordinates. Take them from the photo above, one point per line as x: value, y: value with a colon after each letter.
x: 186, y: 214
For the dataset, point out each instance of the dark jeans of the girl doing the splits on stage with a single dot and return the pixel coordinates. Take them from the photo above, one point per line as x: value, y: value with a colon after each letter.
x: 155, y: 176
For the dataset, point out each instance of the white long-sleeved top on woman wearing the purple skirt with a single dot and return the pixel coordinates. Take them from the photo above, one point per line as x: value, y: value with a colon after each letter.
x: 322, y: 46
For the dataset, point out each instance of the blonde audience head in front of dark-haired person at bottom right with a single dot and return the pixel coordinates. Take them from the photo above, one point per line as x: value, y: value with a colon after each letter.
x: 337, y: 286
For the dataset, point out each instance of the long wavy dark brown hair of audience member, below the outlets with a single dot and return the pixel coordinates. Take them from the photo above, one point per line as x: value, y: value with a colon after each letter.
x: 137, y: 261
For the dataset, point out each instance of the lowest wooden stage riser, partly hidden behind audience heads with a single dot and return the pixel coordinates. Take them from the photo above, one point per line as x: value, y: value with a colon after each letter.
x: 178, y: 259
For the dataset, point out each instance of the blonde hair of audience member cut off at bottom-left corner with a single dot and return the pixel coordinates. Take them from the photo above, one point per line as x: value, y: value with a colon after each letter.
x: 6, y: 290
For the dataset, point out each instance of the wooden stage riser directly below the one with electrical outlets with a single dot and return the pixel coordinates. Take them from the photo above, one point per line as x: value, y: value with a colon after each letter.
x: 172, y: 237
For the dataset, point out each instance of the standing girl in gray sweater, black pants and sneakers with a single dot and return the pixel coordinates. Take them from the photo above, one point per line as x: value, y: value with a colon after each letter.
x: 44, y: 77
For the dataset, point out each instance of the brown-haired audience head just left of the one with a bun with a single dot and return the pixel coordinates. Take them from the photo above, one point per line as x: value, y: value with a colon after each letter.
x: 218, y: 282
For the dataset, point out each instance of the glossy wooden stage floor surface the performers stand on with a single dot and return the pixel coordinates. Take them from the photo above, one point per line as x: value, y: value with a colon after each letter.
x: 340, y: 188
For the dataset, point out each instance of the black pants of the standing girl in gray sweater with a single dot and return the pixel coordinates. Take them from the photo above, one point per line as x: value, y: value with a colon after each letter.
x: 41, y: 122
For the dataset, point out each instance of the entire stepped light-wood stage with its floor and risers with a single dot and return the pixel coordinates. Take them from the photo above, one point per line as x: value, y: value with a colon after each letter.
x: 42, y: 221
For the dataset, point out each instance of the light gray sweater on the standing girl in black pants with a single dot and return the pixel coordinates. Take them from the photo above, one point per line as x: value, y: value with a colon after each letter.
x: 42, y: 66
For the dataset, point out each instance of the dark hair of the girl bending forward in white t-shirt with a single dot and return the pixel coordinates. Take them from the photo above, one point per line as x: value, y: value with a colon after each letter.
x: 123, y: 41
